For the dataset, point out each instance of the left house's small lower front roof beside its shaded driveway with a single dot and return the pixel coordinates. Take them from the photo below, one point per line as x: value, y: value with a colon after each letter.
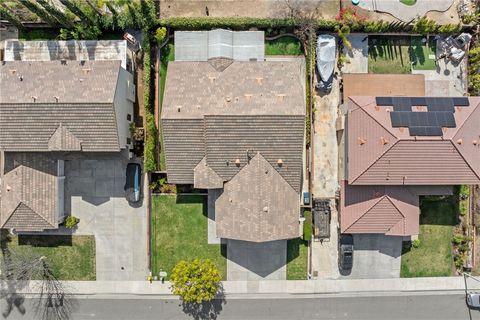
x: 29, y: 192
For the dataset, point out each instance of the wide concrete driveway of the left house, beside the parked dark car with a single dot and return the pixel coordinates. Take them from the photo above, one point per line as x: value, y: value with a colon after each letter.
x: 94, y: 193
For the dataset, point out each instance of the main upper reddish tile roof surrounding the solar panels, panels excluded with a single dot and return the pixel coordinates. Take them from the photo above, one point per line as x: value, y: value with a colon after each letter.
x: 379, y: 154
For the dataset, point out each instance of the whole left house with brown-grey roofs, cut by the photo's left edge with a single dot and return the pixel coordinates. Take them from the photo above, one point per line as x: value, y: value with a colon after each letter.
x: 48, y: 108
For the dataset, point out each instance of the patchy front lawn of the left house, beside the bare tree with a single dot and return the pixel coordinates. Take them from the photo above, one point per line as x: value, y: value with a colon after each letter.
x: 70, y: 257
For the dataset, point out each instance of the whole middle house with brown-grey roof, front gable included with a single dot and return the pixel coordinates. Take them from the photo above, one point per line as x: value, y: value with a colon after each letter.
x: 239, y: 129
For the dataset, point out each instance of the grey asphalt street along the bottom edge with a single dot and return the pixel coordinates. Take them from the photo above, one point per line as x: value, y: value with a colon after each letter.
x: 405, y: 307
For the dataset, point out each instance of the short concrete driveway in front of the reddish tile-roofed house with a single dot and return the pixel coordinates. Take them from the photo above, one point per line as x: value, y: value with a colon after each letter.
x: 376, y: 256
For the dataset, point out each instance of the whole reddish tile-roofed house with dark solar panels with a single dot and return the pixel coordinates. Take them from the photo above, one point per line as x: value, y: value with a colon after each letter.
x: 399, y: 148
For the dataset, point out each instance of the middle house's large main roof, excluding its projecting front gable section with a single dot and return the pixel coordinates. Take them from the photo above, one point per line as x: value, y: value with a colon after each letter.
x: 254, y: 106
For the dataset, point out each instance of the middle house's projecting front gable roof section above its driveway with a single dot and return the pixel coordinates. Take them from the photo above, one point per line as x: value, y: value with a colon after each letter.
x: 257, y: 205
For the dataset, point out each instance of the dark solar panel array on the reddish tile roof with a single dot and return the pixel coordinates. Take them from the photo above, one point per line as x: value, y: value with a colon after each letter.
x: 439, y: 113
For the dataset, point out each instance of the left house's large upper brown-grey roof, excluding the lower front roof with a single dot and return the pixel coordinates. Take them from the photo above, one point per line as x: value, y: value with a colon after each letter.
x: 83, y: 118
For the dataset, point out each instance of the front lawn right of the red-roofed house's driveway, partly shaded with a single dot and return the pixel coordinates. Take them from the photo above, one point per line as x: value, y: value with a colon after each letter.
x: 433, y: 258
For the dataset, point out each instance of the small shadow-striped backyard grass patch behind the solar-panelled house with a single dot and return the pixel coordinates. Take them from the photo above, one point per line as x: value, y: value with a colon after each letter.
x: 389, y: 55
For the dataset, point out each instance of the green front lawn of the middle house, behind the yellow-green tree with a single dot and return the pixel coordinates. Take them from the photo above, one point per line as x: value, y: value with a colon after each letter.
x: 179, y: 232
